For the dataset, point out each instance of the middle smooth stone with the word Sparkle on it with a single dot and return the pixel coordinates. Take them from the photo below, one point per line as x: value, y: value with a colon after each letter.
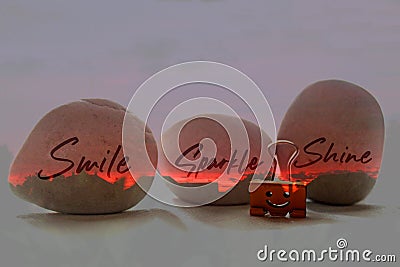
x: 227, y: 173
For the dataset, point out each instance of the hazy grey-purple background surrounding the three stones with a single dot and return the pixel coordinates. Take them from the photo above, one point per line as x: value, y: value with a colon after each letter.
x: 53, y: 52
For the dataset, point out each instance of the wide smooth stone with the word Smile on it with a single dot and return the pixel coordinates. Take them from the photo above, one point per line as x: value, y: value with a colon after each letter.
x: 73, y: 161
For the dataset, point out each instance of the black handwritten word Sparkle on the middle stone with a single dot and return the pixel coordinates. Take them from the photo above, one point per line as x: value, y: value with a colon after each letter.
x: 206, y: 163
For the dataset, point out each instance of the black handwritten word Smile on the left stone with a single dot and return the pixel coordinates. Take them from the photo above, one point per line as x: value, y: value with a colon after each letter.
x: 86, y: 164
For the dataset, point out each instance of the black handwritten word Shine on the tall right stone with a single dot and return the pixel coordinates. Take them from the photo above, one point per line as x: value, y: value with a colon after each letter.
x: 330, y: 156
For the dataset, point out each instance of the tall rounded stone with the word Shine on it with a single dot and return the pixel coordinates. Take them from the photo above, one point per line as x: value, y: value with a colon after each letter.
x: 339, y: 129
